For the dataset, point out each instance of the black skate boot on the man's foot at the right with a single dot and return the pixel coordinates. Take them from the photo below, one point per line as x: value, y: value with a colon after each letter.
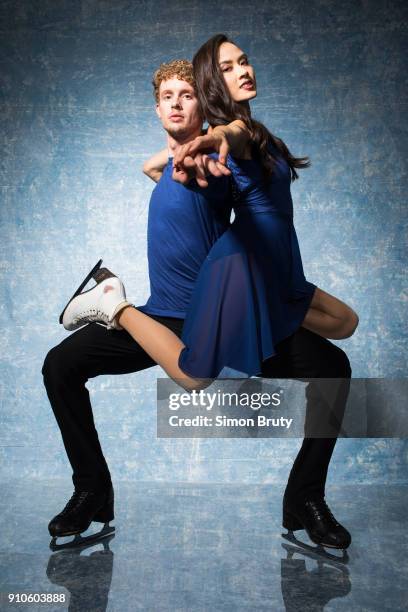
x: 315, y: 517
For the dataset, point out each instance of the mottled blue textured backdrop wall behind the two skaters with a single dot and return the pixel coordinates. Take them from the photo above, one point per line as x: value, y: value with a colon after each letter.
x: 78, y: 121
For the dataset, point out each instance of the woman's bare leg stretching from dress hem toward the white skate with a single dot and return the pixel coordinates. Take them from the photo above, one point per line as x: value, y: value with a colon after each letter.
x: 161, y: 344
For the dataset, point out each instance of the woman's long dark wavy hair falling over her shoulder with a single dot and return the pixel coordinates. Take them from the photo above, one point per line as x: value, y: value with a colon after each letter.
x: 219, y: 108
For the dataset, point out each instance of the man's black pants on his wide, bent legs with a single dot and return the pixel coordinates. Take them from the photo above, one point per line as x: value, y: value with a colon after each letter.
x: 93, y: 350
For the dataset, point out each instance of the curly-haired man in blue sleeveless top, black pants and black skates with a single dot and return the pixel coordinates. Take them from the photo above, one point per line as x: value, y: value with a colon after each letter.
x: 172, y: 274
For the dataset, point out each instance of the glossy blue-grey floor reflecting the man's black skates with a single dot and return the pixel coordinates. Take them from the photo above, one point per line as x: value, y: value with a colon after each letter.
x: 204, y: 547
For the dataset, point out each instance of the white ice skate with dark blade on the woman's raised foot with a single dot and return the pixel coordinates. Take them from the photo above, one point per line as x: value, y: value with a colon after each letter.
x: 101, y: 303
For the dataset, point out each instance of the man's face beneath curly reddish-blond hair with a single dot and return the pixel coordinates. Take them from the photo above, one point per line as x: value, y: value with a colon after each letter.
x: 178, y: 108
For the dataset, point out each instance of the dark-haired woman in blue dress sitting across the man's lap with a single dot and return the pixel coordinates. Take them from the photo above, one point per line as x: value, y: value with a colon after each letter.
x: 251, y: 292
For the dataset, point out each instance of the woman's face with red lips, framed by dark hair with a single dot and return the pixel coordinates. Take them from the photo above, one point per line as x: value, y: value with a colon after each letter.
x: 238, y: 74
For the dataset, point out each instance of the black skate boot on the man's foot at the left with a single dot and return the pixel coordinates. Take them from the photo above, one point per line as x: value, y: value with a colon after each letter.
x: 83, y: 508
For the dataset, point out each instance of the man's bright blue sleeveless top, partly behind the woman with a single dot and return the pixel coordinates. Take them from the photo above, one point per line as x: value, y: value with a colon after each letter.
x: 183, y: 224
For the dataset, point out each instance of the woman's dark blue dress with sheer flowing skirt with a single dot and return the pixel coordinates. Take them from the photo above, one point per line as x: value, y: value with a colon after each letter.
x: 251, y: 291
